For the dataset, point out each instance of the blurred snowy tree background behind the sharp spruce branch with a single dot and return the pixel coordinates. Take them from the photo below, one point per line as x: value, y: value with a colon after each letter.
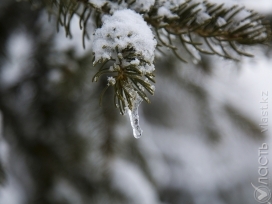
x: 201, y: 136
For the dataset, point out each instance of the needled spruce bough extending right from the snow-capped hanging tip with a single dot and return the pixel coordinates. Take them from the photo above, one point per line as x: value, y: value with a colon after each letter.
x: 210, y: 28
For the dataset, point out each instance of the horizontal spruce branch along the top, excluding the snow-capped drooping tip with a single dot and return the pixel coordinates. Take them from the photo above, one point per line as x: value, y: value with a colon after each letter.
x: 216, y: 26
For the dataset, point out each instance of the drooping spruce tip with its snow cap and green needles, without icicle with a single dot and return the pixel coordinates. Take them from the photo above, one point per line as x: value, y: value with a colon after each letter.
x: 126, y: 46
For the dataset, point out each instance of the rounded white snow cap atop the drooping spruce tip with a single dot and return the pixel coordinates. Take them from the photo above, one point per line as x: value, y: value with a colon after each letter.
x: 124, y: 29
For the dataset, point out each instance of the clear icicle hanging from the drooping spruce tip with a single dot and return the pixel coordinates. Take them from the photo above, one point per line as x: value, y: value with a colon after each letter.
x: 134, y: 118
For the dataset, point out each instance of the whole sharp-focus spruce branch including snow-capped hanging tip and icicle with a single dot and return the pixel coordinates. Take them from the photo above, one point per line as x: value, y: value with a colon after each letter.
x: 125, y: 41
